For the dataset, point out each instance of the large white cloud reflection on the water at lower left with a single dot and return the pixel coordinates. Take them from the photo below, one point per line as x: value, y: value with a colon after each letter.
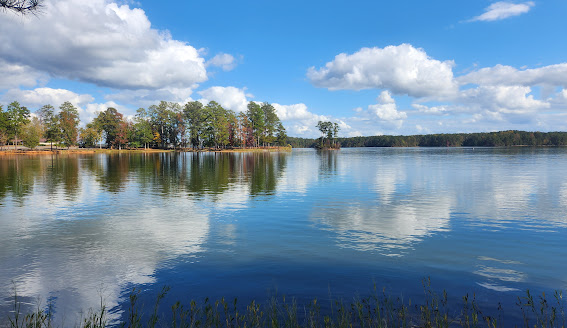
x: 74, y: 261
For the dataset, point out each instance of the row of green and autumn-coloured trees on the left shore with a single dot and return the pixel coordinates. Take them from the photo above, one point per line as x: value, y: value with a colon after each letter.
x: 165, y: 125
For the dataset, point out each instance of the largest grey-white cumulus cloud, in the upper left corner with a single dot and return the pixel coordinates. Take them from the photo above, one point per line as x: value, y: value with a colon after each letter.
x: 103, y: 43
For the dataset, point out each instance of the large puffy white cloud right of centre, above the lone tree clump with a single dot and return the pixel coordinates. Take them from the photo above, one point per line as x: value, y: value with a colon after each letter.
x: 401, y: 69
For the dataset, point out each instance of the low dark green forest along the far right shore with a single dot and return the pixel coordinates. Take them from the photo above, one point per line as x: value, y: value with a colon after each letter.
x: 488, y: 139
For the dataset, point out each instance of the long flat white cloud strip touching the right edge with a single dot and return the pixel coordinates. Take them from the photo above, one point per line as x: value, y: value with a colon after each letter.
x: 555, y: 75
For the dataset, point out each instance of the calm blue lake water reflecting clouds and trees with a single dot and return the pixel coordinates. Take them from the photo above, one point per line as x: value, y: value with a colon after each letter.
x: 306, y: 224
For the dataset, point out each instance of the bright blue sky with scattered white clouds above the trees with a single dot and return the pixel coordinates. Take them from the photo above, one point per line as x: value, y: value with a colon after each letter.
x: 374, y: 67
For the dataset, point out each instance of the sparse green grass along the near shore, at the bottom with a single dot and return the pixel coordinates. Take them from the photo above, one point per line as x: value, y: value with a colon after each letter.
x: 377, y: 310
